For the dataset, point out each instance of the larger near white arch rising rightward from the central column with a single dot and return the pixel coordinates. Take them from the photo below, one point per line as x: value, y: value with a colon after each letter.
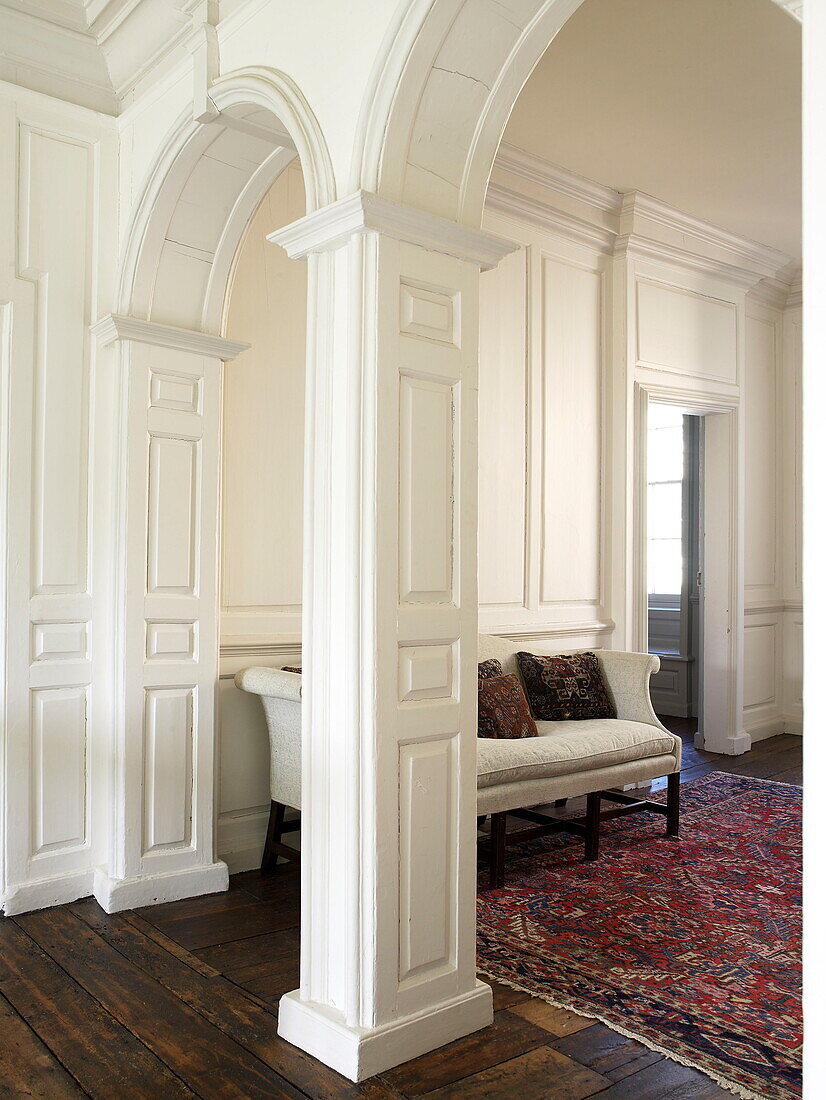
x: 443, y: 94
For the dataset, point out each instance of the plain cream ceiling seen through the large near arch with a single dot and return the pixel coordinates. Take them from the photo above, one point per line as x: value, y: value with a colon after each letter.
x: 697, y: 103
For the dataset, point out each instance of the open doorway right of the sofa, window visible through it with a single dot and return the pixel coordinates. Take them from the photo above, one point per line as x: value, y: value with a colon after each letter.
x: 689, y: 555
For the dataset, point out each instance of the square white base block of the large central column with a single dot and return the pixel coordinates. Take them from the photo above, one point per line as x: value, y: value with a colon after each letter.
x: 359, y: 1053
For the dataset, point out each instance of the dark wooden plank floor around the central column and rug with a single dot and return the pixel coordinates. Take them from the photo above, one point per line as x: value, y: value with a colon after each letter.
x: 181, y: 1000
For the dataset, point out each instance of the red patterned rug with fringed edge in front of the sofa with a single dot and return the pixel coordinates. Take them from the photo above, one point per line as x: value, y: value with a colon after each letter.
x: 693, y: 948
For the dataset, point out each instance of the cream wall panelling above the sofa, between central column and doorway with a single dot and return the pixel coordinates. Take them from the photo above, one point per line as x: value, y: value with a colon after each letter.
x: 543, y: 377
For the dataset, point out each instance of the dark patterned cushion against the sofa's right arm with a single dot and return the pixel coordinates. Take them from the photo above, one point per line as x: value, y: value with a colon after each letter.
x: 566, y: 688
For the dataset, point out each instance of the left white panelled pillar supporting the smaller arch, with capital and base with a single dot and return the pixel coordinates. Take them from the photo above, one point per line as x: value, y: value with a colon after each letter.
x: 168, y: 642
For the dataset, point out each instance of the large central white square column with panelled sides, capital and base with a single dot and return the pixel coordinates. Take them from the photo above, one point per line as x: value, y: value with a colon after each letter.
x: 390, y: 646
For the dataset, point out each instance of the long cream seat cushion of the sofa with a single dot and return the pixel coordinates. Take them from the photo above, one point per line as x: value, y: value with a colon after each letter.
x: 564, y: 749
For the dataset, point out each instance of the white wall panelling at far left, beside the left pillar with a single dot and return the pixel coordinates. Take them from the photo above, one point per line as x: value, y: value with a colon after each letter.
x: 58, y: 196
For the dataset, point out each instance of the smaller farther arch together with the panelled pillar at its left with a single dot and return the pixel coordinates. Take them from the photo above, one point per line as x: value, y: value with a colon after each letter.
x: 189, y: 223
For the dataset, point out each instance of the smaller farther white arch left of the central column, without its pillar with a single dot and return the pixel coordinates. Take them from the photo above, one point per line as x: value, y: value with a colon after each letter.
x: 259, y: 109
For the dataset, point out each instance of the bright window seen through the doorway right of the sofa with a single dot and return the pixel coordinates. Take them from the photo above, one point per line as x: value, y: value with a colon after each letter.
x: 666, y: 444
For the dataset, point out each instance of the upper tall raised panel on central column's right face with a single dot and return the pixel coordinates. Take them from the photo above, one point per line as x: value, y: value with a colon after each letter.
x: 427, y: 423
